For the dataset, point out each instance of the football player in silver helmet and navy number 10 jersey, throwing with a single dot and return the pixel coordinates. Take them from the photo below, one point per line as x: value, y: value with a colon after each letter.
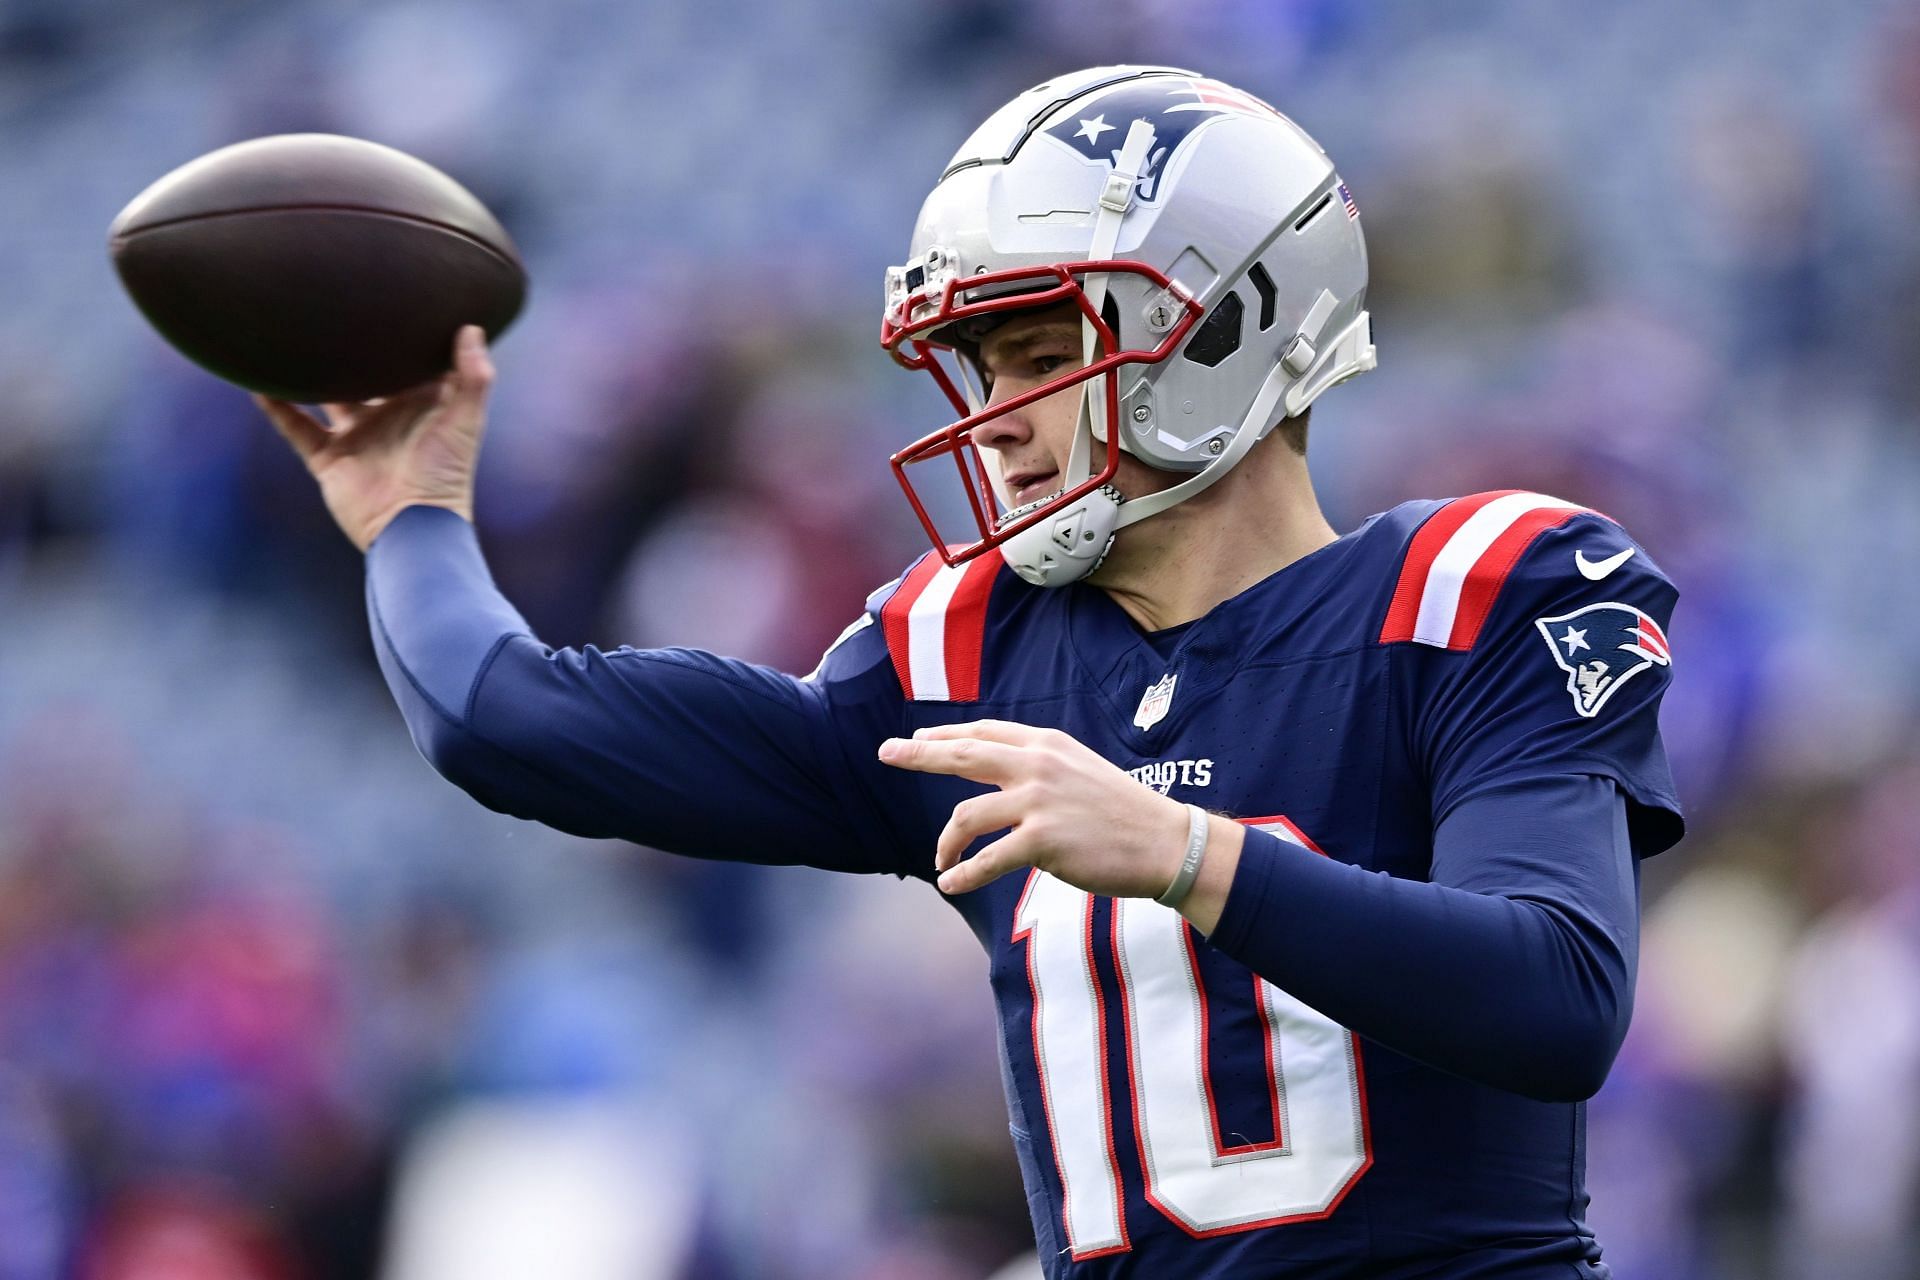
x: 1307, y: 861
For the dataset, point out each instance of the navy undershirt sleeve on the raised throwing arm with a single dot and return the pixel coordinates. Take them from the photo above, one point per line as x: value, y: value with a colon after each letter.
x: 673, y: 747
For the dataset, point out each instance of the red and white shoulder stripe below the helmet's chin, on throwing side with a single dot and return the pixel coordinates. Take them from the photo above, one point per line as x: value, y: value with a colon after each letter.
x: 936, y: 628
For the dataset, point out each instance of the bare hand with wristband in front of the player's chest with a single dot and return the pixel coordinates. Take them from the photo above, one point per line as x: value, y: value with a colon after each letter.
x: 1072, y: 813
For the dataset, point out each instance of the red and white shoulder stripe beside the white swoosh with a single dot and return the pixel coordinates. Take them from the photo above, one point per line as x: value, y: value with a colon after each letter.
x: 1460, y: 559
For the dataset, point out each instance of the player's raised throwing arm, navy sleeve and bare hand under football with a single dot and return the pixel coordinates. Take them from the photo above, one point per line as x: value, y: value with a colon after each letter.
x: 675, y: 749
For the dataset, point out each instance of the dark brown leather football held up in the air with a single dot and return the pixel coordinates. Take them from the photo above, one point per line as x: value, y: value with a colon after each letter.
x: 316, y: 268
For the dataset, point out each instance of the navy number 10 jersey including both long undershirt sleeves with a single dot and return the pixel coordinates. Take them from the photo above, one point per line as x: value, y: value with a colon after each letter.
x: 1443, y: 736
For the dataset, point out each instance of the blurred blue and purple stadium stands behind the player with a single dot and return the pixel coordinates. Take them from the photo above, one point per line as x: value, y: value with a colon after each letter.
x: 277, y: 1005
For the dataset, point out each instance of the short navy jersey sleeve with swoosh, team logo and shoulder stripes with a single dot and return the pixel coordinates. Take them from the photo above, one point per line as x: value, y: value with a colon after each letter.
x: 1539, y: 648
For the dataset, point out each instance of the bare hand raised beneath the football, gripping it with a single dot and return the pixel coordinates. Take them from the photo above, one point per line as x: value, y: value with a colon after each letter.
x: 421, y: 446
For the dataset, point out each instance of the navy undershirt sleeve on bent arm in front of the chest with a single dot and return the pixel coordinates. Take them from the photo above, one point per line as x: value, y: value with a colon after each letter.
x: 1512, y: 968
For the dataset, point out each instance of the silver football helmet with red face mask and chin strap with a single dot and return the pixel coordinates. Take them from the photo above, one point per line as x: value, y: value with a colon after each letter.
x: 1218, y: 266
